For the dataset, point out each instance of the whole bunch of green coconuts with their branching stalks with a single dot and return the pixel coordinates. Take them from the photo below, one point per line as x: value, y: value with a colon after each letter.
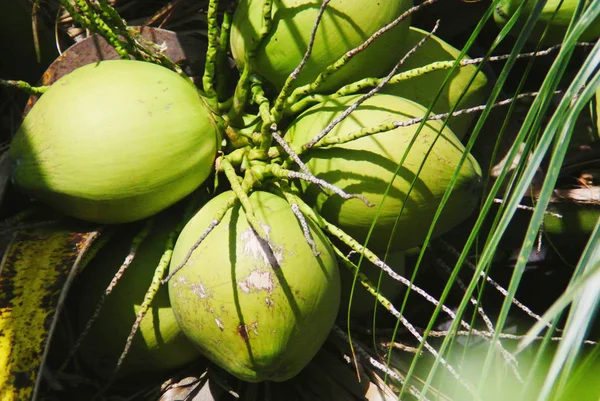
x: 323, y: 148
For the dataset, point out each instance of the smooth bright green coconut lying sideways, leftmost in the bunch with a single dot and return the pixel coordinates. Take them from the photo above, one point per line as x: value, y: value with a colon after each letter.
x: 115, y: 141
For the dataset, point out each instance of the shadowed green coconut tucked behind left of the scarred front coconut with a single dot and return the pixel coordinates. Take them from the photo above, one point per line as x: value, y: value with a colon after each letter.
x: 160, y: 344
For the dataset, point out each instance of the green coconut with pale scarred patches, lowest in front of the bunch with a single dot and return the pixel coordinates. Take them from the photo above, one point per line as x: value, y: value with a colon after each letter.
x: 260, y: 313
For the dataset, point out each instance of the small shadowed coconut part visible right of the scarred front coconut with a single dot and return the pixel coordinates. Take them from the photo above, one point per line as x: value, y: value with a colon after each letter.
x: 363, y: 301
